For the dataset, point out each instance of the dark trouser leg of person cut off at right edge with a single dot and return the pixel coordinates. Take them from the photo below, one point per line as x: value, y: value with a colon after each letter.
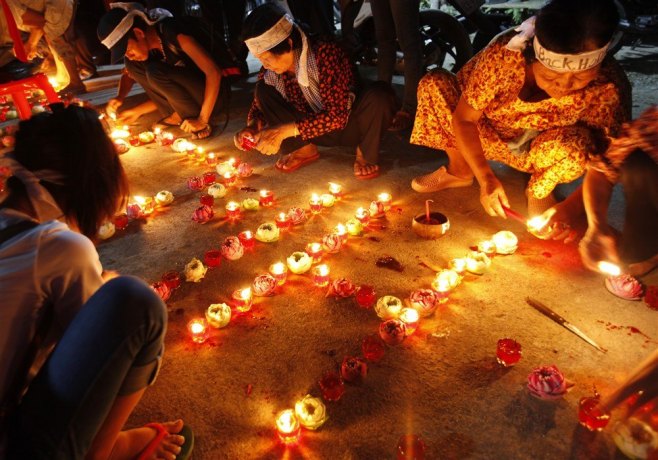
x: 639, y: 177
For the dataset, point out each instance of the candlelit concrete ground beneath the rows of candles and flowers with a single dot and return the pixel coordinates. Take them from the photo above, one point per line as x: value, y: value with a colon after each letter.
x: 442, y: 383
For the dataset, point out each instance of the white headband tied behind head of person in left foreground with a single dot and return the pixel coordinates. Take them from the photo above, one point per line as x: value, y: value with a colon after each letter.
x: 45, y: 206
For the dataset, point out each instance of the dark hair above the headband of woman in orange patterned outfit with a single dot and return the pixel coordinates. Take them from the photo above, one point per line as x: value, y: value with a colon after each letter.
x: 567, y: 26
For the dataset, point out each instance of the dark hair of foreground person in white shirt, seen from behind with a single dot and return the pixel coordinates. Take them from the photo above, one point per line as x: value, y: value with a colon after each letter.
x: 72, y: 141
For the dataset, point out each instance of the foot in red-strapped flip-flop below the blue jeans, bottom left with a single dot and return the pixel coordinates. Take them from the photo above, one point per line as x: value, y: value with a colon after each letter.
x: 131, y: 443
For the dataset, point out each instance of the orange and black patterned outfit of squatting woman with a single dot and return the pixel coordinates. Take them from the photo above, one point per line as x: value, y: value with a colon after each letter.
x: 561, y: 131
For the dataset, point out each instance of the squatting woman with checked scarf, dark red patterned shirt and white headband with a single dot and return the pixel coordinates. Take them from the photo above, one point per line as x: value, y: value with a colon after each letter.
x: 305, y: 96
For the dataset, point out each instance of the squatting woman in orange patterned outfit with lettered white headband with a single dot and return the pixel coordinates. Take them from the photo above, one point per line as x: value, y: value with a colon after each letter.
x: 534, y: 99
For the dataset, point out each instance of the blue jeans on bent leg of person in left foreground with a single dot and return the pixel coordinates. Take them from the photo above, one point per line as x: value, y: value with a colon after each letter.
x: 112, y: 347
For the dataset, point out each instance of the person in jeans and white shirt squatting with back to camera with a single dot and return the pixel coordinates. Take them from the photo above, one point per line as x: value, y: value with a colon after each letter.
x: 76, y: 352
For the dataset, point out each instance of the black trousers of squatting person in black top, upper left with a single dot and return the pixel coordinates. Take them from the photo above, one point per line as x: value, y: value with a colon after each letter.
x: 171, y: 88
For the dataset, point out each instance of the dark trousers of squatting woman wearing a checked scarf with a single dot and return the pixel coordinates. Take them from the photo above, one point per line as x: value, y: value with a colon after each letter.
x: 371, y: 115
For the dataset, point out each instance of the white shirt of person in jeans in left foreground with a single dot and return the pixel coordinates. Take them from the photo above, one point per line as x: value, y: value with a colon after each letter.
x: 46, y: 266
